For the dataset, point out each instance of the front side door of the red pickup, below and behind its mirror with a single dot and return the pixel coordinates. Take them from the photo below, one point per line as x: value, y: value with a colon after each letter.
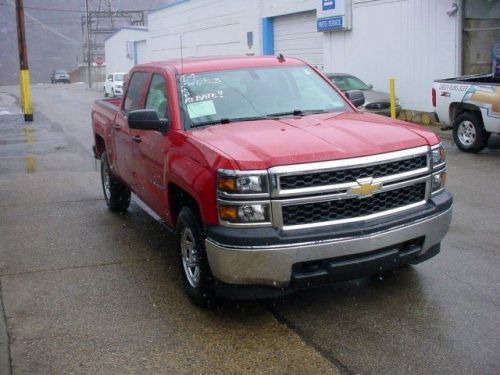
x: 152, y: 147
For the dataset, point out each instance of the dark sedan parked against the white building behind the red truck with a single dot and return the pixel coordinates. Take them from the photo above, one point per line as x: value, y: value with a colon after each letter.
x: 375, y: 101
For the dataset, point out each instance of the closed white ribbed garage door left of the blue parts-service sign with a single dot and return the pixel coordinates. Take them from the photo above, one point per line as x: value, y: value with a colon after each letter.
x: 295, y: 35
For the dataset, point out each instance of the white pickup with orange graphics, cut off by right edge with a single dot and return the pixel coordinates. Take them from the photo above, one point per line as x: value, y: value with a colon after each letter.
x: 471, y: 105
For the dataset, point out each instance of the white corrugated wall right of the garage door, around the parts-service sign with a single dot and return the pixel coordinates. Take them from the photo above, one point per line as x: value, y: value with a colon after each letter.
x: 414, y: 41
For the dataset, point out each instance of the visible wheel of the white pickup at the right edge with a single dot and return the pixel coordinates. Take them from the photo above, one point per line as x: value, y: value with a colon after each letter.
x: 468, y: 132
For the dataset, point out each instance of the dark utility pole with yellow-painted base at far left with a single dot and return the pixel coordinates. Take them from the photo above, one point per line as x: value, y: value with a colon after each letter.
x: 24, y: 73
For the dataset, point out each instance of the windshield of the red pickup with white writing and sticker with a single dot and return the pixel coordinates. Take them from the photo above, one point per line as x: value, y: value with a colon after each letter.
x: 254, y: 93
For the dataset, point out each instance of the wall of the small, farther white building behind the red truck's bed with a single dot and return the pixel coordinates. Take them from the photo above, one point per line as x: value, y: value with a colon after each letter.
x: 117, y: 59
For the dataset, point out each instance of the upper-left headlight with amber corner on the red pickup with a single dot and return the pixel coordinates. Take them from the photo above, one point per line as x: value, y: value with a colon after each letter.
x: 242, y: 183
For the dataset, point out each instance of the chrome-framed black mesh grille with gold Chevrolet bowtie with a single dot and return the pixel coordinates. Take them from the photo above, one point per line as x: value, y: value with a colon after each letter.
x: 349, y: 190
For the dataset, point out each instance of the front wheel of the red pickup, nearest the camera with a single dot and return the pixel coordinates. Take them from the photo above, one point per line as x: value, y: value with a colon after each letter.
x: 198, y: 280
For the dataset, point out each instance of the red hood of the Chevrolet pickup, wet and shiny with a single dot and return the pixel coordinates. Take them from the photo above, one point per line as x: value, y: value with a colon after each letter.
x: 267, y: 143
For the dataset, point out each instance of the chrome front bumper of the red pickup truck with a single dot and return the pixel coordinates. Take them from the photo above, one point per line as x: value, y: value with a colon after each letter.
x: 272, y: 265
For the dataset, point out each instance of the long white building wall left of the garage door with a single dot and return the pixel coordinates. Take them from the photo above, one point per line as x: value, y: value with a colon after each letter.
x: 217, y: 27
